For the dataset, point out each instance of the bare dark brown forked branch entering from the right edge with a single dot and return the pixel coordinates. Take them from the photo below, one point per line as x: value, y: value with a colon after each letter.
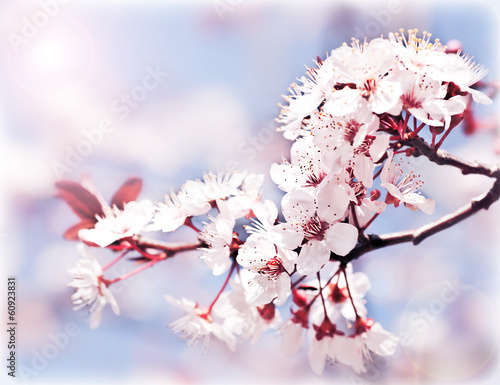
x: 483, y: 202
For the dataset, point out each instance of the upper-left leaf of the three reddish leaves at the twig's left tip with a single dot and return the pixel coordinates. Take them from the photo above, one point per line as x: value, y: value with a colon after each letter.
x: 82, y: 202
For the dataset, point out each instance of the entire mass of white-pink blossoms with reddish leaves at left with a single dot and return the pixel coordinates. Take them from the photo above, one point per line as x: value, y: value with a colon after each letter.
x: 352, y: 120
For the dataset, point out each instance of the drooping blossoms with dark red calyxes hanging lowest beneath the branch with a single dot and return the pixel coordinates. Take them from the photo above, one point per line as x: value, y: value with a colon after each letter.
x: 340, y: 330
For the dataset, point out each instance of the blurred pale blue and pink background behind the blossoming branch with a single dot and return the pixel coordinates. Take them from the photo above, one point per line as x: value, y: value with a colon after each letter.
x: 168, y: 89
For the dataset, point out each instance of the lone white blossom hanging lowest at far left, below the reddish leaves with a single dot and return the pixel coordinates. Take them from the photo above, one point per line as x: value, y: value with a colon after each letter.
x: 91, y: 288
